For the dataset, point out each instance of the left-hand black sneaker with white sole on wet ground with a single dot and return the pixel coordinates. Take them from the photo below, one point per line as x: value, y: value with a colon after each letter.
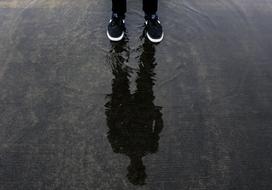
x: 116, y: 28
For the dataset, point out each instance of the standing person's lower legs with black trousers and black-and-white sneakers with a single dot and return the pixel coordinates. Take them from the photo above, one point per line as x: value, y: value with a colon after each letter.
x: 116, y: 27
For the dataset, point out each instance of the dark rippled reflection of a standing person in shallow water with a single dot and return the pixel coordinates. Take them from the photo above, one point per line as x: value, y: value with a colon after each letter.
x: 134, y: 121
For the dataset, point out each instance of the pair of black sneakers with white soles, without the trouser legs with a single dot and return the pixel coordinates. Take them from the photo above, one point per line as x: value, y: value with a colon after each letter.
x: 153, y: 28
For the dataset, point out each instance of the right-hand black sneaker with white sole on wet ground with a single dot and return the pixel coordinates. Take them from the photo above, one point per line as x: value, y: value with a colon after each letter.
x: 153, y: 29
